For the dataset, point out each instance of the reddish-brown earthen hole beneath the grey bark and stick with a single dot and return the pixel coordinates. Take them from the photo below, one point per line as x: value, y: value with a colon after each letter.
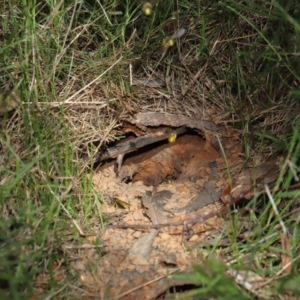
x: 186, y: 158
